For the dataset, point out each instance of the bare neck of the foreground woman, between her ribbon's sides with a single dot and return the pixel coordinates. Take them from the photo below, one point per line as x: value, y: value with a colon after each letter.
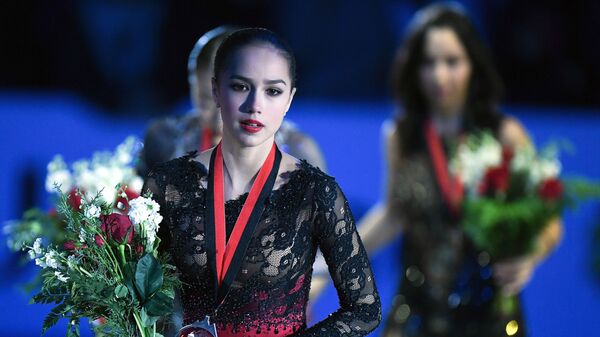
x: 241, y: 165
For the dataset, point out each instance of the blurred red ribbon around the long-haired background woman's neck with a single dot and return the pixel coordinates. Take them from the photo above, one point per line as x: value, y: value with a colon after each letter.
x: 451, y: 187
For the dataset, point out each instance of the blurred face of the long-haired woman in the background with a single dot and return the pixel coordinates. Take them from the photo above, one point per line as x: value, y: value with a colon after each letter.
x: 445, y: 72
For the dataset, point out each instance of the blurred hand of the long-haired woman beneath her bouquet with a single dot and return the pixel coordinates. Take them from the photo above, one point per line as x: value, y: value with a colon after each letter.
x: 512, y: 275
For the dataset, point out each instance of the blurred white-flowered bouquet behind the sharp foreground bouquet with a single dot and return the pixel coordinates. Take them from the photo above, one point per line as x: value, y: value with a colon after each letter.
x: 102, y: 173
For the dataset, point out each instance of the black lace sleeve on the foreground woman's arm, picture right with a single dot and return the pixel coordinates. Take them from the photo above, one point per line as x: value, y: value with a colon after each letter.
x: 360, y: 307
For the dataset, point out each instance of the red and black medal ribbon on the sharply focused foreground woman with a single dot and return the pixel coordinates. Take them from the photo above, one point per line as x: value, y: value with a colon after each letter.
x: 226, y: 250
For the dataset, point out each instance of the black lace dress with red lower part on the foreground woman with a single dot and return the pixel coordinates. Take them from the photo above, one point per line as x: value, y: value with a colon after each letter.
x: 269, y: 293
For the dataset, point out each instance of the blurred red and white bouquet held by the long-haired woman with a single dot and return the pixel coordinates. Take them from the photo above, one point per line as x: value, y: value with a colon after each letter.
x: 510, y: 194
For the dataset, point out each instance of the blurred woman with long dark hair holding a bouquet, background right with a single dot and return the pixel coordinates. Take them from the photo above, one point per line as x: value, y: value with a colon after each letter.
x: 445, y: 80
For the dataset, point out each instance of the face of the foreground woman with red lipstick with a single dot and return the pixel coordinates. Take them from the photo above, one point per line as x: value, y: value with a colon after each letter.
x: 254, y: 92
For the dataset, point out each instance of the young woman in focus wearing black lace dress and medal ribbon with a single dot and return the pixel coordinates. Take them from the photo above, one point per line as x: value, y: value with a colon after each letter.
x: 243, y: 221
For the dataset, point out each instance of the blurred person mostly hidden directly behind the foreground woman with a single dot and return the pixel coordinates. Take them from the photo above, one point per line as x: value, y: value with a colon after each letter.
x: 200, y: 129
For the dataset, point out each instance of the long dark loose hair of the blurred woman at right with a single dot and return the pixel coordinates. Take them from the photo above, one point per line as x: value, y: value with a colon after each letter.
x: 485, y: 88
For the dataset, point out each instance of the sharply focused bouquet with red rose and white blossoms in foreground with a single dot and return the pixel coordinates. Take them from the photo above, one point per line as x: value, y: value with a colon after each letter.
x: 109, y: 267
